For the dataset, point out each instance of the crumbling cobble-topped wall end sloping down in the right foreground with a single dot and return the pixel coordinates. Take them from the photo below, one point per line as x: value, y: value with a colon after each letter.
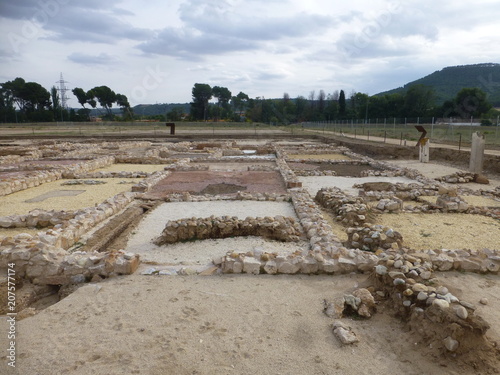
x: 432, y: 313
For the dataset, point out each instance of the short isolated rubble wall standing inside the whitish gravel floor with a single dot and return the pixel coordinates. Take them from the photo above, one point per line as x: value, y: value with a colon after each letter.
x: 279, y: 228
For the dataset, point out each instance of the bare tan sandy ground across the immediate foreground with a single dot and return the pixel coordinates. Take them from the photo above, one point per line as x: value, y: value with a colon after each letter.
x: 227, y: 325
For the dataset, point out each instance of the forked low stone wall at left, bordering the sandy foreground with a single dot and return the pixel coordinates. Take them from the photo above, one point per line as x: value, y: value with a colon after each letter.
x: 44, y: 259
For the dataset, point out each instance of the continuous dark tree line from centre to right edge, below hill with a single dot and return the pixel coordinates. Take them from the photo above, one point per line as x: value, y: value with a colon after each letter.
x: 417, y: 101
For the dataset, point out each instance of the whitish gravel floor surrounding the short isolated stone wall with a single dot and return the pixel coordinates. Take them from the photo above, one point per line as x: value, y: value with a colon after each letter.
x: 202, y: 252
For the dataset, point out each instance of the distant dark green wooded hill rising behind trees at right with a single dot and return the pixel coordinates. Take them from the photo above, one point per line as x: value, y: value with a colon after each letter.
x: 449, y: 81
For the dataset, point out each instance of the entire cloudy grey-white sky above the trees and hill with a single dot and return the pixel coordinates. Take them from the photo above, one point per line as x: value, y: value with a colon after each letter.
x: 155, y: 51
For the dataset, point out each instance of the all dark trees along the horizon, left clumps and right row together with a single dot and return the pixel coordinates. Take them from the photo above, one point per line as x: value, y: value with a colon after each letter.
x: 22, y: 101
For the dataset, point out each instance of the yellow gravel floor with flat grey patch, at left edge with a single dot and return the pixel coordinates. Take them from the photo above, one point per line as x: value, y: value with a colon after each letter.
x: 16, y: 203
